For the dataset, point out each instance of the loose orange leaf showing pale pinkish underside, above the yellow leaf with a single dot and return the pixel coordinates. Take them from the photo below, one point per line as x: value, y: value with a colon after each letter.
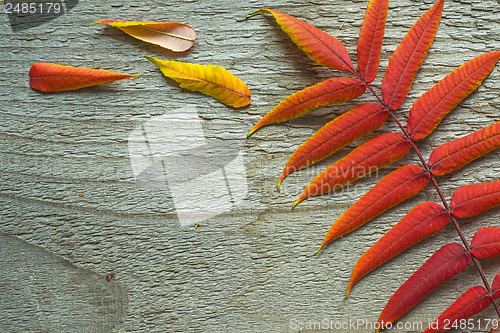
x: 175, y: 36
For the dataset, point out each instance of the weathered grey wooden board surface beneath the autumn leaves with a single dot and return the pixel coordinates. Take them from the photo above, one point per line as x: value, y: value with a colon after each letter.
x: 73, y: 213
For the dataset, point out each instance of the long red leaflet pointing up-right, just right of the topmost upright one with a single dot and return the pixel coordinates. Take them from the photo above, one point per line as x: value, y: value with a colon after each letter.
x: 408, y: 57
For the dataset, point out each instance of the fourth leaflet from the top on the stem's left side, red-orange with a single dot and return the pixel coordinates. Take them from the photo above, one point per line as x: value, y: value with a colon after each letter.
x: 372, y: 155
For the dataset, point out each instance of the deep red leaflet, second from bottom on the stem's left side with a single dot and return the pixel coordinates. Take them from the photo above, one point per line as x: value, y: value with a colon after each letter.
x: 447, y: 262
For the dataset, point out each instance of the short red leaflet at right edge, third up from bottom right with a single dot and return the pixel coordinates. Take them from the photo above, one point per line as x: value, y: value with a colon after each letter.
x: 470, y: 200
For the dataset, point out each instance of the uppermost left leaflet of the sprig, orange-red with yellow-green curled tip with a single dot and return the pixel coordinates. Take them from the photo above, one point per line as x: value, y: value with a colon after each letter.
x: 317, y: 44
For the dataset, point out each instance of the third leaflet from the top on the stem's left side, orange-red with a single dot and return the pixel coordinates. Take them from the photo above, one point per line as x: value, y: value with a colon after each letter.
x: 343, y: 130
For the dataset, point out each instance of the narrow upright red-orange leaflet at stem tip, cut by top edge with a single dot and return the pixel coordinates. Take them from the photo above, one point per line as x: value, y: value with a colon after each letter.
x: 370, y: 39
